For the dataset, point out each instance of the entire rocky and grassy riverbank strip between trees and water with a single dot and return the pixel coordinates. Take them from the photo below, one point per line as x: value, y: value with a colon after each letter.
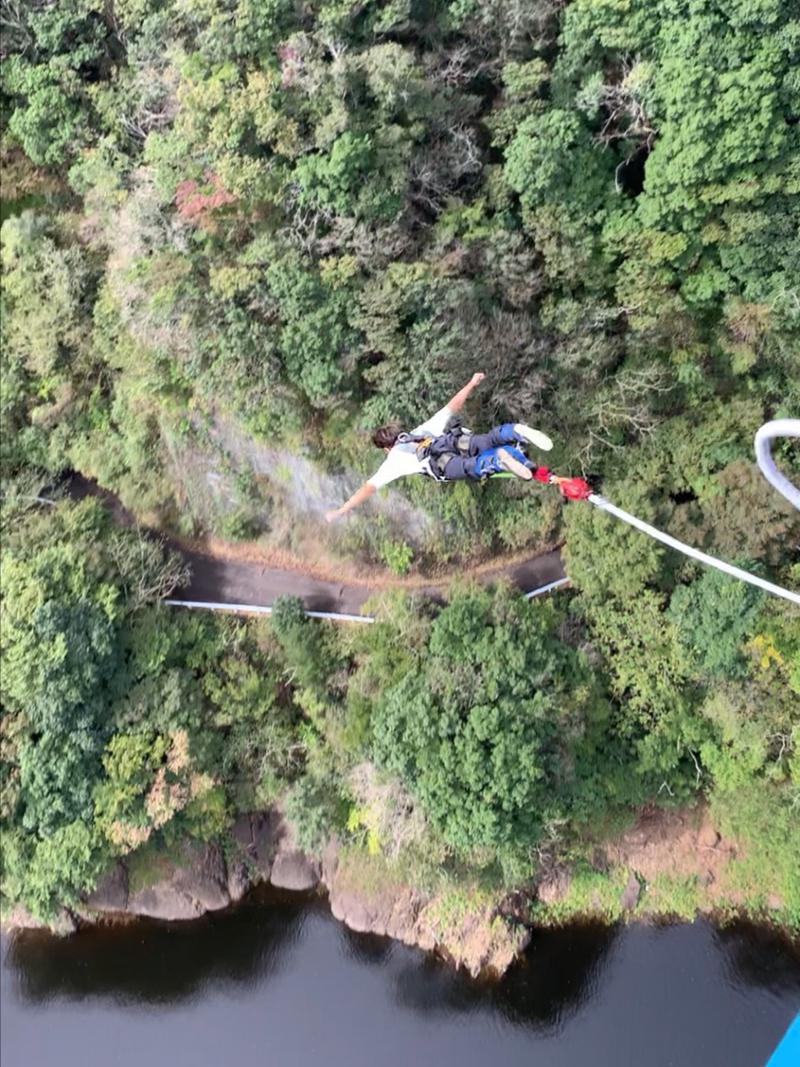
x: 668, y: 866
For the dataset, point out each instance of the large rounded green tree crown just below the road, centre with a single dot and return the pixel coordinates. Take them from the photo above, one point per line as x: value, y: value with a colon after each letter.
x: 478, y: 729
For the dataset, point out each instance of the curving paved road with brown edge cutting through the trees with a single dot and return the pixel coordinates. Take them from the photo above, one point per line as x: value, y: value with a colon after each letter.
x: 235, y: 574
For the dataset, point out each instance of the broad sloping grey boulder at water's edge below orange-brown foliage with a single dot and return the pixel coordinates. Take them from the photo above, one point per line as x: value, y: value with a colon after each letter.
x: 188, y: 889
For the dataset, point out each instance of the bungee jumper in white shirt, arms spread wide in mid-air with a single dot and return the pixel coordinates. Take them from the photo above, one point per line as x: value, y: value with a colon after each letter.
x: 445, y: 451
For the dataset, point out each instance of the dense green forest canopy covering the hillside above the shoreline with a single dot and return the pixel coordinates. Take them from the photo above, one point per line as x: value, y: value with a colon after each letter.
x: 238, y: 235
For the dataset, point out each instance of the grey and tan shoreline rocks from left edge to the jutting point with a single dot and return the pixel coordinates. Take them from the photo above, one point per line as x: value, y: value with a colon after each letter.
x: 200, y: 879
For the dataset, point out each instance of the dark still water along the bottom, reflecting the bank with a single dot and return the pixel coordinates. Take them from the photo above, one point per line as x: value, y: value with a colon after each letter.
x: 279, y: 982
